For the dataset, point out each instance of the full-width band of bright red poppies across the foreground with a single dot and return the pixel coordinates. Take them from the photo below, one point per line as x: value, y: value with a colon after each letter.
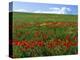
x: 51, y: 44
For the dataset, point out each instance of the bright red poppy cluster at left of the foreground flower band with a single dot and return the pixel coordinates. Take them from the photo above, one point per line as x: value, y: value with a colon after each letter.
x: 28, y: 44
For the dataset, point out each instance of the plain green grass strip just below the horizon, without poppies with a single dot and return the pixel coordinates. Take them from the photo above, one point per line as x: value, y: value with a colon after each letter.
x: 32, y: 17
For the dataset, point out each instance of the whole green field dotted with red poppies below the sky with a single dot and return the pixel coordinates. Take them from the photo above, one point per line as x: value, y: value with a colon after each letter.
x: 36, y: 35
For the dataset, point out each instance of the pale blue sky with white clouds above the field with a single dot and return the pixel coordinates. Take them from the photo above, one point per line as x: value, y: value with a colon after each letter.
x: 44, y: 8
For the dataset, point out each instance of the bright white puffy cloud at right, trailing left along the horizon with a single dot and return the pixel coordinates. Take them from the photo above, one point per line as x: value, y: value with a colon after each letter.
x: 55, y: 10
